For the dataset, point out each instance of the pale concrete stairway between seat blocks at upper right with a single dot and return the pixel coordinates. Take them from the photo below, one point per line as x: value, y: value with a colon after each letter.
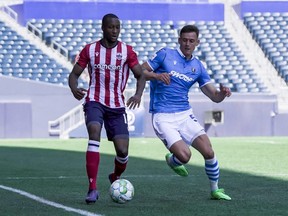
x: 256, y: 57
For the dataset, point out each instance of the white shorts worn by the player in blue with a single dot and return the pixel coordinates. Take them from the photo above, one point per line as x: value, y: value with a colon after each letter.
x: 172, y: 127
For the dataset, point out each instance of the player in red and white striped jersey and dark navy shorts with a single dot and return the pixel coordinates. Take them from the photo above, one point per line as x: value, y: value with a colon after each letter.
x: 109, y: 62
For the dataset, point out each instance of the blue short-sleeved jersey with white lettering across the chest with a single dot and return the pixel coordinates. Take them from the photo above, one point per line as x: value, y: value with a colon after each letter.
x: 183, y: 74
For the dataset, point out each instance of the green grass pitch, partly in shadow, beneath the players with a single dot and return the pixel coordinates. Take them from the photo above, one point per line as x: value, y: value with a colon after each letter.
x: 253, y: 171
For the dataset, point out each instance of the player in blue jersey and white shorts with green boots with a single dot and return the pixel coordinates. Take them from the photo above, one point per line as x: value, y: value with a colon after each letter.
x: 172, y: 72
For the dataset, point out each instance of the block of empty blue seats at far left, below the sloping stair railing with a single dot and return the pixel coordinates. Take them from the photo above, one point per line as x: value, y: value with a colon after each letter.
x: 20, y: 58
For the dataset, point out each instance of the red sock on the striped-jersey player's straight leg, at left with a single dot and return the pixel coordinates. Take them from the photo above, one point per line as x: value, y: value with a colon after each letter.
x: 92, y: 164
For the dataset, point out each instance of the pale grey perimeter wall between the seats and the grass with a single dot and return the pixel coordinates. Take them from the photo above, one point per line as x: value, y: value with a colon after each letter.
x: 27, y: 106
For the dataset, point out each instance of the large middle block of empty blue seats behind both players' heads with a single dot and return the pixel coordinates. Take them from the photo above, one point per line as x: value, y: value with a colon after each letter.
x: 224, y: 60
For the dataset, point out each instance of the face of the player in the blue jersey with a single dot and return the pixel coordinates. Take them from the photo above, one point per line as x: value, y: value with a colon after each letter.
x: 188, y: 42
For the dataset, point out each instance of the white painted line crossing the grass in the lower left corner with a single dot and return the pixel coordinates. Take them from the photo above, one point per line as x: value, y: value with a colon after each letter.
x: 50, y: 203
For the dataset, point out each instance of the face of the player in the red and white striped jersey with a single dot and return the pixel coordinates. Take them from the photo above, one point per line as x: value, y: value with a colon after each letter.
x: 111, y: 30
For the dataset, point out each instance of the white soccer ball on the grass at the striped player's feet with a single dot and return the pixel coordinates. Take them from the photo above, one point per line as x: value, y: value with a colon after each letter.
x: 121, y: 191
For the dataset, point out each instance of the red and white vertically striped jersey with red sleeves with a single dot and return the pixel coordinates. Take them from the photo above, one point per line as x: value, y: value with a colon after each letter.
x: 108, y: 70
